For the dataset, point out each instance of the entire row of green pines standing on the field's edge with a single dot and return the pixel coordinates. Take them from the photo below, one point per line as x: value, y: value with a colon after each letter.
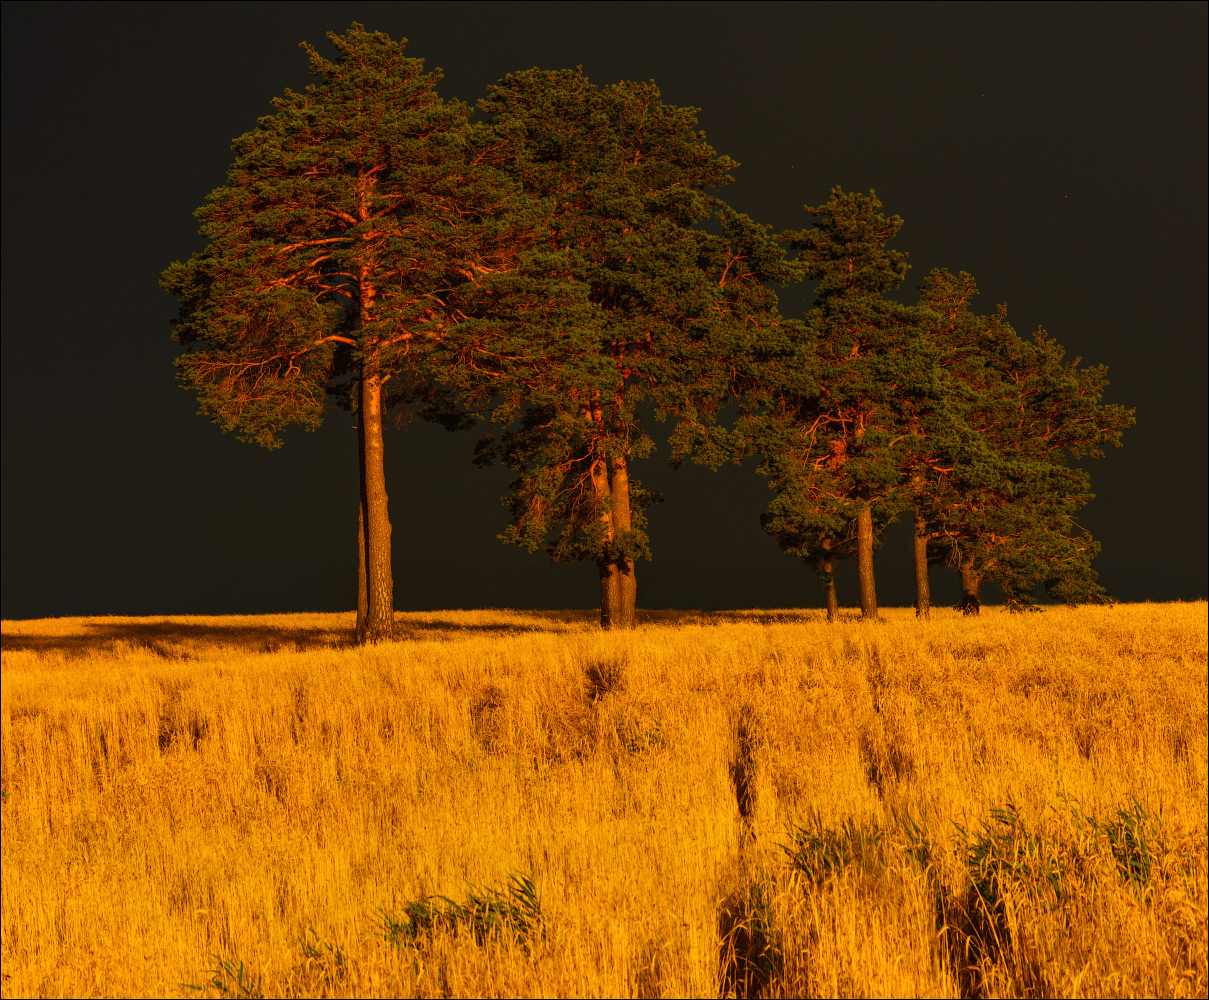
x: 564, y: 267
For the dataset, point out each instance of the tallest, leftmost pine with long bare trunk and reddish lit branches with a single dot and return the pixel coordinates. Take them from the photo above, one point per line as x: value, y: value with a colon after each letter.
x: 349, y: 227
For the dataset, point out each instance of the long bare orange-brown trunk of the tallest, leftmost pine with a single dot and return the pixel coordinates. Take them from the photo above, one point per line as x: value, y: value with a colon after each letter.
x: 377, y: 518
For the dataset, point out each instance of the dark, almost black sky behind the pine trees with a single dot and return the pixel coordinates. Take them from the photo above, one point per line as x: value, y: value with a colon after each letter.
x: 1056, y: 152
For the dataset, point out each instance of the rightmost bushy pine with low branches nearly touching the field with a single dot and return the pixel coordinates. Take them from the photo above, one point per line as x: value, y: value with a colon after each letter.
x: 1005, y: 510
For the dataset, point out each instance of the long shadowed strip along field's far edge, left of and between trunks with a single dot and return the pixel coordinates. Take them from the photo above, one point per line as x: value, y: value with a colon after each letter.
x: 184, y: 639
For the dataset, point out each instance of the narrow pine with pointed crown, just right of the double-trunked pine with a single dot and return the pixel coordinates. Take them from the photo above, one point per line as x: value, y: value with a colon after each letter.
x: 835, y: 419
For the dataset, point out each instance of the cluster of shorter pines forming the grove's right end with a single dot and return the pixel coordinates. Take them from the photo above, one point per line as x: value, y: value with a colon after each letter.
x: 881, y: 409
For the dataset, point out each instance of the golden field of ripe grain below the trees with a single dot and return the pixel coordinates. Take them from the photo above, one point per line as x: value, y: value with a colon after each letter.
x: 716, y: 805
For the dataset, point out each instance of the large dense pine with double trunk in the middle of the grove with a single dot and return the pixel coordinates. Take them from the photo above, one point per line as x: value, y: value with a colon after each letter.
x: 626, y: 303
